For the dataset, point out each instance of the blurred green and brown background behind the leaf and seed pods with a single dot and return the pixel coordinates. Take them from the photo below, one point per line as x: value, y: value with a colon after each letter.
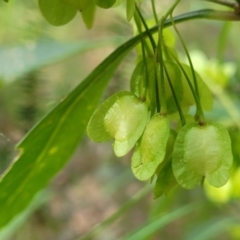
x: 40, y: 64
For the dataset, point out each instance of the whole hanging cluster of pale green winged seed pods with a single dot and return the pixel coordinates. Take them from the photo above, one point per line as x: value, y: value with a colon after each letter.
x: 176, y: 155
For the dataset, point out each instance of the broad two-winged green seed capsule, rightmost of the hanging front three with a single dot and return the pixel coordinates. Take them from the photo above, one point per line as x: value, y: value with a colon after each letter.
x: 202, y: 152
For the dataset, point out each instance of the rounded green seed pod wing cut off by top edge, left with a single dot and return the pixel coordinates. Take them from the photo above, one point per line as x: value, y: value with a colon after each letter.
x: 57, y: 12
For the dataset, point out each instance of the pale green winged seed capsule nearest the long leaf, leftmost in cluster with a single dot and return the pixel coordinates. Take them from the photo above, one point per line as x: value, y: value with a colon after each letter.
x: 123, y: 118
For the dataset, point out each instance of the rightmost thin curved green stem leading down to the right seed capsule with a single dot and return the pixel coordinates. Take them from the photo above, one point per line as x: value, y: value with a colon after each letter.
x: 199, y: 111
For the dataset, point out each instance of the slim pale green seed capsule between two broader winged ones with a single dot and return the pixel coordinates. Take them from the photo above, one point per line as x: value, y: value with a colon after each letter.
x: 152, y: 148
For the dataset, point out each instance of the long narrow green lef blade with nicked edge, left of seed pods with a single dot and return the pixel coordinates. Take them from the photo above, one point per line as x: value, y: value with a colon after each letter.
x: 49, y: 145
